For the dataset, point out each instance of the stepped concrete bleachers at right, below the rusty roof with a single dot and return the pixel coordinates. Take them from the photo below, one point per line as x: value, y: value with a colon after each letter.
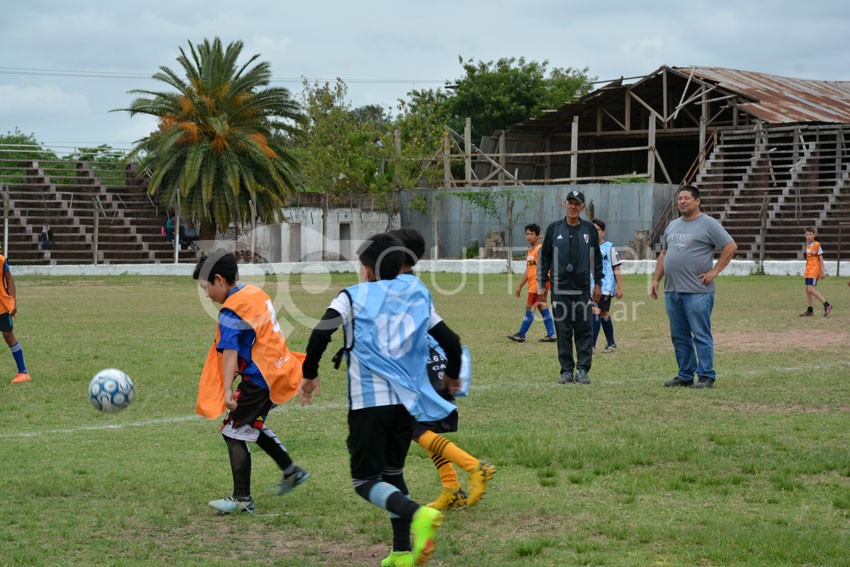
x: 796, y: 176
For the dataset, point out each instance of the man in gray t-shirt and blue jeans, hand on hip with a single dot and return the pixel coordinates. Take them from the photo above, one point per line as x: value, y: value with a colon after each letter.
x: 685, y: 263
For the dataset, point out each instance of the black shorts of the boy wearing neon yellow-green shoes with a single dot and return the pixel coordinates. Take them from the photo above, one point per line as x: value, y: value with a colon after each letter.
x: 378, y: 438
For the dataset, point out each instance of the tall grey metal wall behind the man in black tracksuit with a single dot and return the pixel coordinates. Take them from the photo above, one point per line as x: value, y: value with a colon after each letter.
x: 625, y: 208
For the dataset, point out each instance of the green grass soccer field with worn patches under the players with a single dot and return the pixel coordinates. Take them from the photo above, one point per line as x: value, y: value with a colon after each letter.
x: 622, y: 472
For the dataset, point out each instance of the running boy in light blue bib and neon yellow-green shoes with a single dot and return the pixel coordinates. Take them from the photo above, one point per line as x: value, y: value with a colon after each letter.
x: 386, y: 321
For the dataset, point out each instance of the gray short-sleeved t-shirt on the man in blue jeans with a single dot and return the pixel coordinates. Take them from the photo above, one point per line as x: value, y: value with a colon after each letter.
x: 690, y: 252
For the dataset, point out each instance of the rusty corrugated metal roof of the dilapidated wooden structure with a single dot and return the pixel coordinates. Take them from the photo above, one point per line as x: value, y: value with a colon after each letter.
x: 781, y: 100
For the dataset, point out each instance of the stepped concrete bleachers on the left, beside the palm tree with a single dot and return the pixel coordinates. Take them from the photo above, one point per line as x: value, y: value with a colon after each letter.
x: 67, y: 195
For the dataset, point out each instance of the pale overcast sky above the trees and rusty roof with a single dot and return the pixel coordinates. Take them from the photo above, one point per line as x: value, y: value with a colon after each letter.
x: 381, y: 48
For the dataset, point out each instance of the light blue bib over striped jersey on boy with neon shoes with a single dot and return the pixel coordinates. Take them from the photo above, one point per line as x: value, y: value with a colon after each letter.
x: 386, y: 325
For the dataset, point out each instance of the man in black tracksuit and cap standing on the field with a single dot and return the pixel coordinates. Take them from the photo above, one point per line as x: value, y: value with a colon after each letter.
x: 571, y: 250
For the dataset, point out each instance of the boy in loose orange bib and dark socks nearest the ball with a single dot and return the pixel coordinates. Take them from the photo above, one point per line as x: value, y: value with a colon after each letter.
x: 248, y: 342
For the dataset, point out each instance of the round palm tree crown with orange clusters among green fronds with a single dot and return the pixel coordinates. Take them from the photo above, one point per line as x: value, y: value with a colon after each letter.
x: 219, y: 142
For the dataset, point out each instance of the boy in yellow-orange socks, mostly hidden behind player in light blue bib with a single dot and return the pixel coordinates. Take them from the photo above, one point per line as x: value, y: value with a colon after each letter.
x: 427, y: 434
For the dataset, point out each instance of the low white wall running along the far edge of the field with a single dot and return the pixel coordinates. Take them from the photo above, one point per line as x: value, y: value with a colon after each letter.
x: 735, y: 268
